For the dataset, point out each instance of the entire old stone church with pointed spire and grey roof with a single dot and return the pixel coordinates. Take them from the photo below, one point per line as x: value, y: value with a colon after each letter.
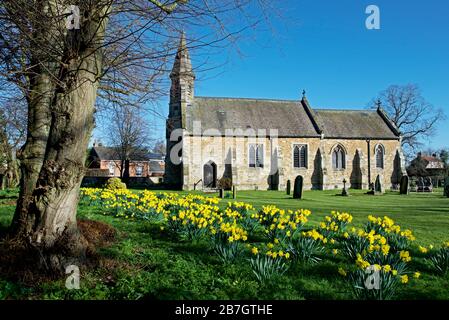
x: 260, y: 144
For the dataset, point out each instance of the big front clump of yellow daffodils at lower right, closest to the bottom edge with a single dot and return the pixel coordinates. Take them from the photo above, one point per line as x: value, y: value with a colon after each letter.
x: 379, y: 267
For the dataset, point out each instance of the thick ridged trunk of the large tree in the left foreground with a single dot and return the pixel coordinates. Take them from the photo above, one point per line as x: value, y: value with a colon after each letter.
x: 53, y: 164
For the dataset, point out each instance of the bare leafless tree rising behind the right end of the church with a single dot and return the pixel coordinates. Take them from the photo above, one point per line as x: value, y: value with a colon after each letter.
x: 415, y: 118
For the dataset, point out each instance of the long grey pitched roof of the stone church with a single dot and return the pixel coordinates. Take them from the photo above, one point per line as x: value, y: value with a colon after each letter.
x: 290, y: 118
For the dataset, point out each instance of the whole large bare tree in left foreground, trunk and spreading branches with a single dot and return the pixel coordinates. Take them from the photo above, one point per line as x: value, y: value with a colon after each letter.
x: 118, y: 51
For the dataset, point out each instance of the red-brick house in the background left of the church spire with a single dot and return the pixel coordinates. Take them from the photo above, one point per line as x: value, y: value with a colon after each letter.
x: 105, y: 162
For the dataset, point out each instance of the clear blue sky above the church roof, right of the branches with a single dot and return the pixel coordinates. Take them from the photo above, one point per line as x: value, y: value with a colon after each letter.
x: 325, y: 48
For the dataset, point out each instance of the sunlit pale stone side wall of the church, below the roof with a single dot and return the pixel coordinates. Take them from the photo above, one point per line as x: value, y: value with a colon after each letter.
x: 319, y: 174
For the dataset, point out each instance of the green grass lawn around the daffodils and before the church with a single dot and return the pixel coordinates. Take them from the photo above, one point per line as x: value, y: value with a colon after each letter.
x: 144, y: 263
